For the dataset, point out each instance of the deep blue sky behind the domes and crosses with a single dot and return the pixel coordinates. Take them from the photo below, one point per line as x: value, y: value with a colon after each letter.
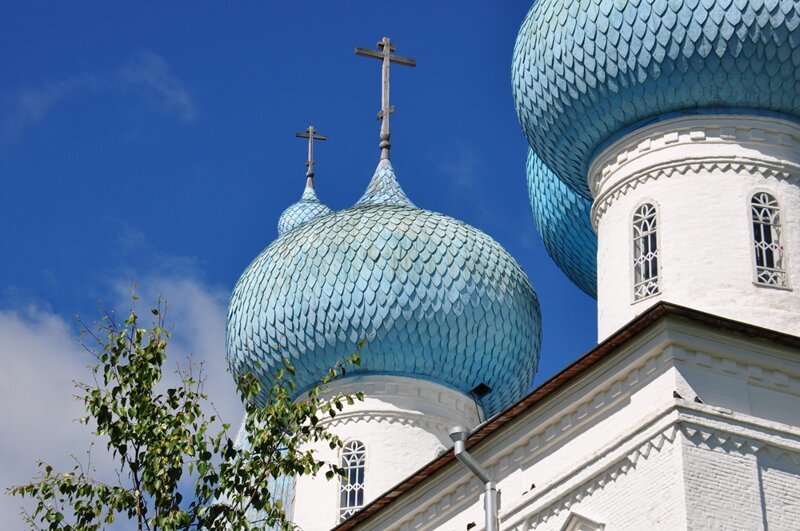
x: 154, y: 143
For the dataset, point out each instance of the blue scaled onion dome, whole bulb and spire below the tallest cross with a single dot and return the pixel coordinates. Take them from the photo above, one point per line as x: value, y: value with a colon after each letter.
x: 430, y: 297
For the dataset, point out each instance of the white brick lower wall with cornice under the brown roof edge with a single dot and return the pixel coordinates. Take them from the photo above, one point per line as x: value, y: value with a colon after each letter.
x: 617, y: 450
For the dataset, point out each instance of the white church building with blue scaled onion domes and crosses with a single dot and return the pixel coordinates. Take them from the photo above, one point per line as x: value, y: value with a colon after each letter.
x: 664, y: 179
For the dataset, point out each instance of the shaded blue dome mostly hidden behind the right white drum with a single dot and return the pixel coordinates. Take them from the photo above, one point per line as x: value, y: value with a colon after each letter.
x: 562, y: 218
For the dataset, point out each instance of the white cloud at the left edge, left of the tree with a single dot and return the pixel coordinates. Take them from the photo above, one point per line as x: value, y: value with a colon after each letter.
x: 40, y: 361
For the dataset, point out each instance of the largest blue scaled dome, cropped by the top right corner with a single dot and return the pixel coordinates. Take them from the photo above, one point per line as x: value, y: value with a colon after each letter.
x: 584, y: 70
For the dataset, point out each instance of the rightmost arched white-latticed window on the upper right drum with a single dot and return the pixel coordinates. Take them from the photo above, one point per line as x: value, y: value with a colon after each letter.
x: 770, y: 267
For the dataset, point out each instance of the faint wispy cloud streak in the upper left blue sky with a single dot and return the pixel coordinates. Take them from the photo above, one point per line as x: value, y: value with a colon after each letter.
x: 147, y: 74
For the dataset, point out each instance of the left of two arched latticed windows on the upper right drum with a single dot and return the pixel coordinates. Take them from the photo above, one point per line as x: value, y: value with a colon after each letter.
x: 645, y: 252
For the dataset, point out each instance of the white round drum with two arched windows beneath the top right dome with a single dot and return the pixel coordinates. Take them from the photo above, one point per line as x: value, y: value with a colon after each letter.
x: 701, y: 172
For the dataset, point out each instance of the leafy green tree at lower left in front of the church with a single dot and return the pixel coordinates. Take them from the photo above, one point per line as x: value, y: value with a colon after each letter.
x: 176, y: 467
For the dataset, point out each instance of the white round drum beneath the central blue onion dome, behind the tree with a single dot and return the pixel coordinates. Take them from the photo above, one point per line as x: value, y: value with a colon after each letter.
x: 403, y: 423
